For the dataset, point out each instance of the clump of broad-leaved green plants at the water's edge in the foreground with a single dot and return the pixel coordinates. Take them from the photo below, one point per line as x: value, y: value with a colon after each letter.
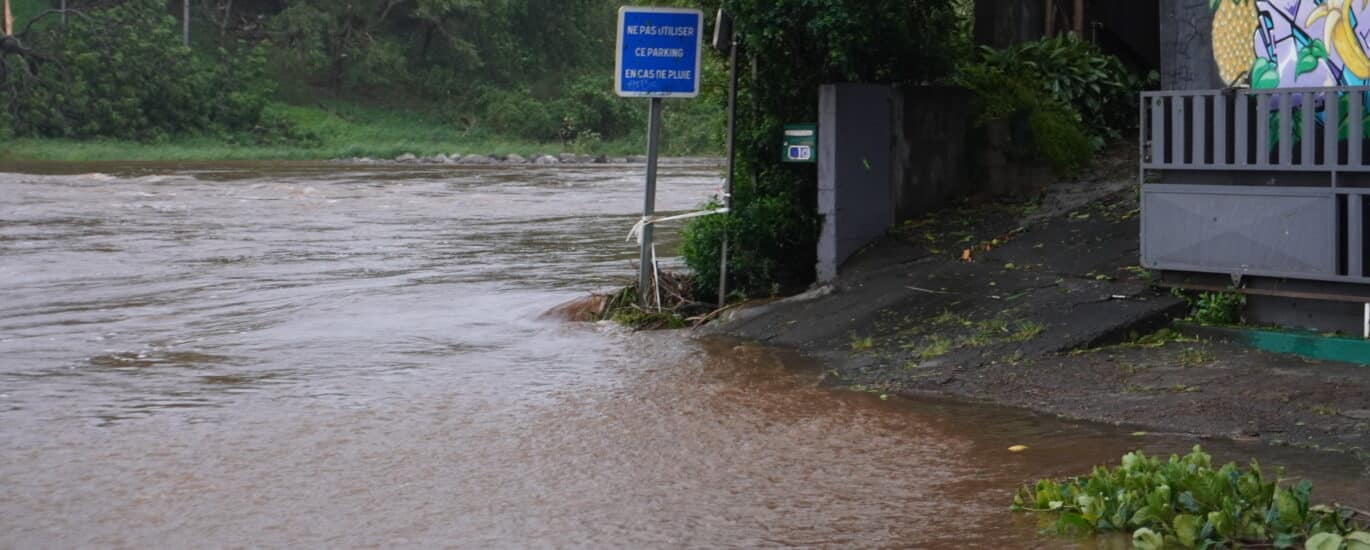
x: 1187, y: 503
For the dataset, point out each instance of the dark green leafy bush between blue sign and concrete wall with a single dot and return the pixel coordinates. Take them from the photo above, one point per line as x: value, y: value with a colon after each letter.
x: 791, y: 49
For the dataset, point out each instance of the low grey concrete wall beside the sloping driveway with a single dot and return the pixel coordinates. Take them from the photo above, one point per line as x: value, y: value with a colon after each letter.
x: 887, y: 156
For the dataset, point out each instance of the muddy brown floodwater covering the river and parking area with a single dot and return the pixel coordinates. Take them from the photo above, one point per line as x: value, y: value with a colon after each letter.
x: 317, y: 356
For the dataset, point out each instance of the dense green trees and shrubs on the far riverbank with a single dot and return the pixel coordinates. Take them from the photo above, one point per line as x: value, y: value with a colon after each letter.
x: 536, y: 71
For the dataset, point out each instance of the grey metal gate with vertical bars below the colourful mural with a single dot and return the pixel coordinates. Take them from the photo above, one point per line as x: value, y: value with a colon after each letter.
x: 1257, y: 183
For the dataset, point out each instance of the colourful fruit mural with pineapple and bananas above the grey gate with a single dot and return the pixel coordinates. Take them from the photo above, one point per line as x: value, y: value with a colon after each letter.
x: 1293, y: 43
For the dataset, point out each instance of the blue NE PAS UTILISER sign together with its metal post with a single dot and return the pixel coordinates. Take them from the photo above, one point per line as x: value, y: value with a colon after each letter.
x: 660, y: 56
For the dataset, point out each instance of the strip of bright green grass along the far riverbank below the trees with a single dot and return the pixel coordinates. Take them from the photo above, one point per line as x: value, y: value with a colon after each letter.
x: 331, y: 130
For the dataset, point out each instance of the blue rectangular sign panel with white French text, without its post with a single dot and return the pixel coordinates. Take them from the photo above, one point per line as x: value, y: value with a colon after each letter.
x: 660, y: 53
